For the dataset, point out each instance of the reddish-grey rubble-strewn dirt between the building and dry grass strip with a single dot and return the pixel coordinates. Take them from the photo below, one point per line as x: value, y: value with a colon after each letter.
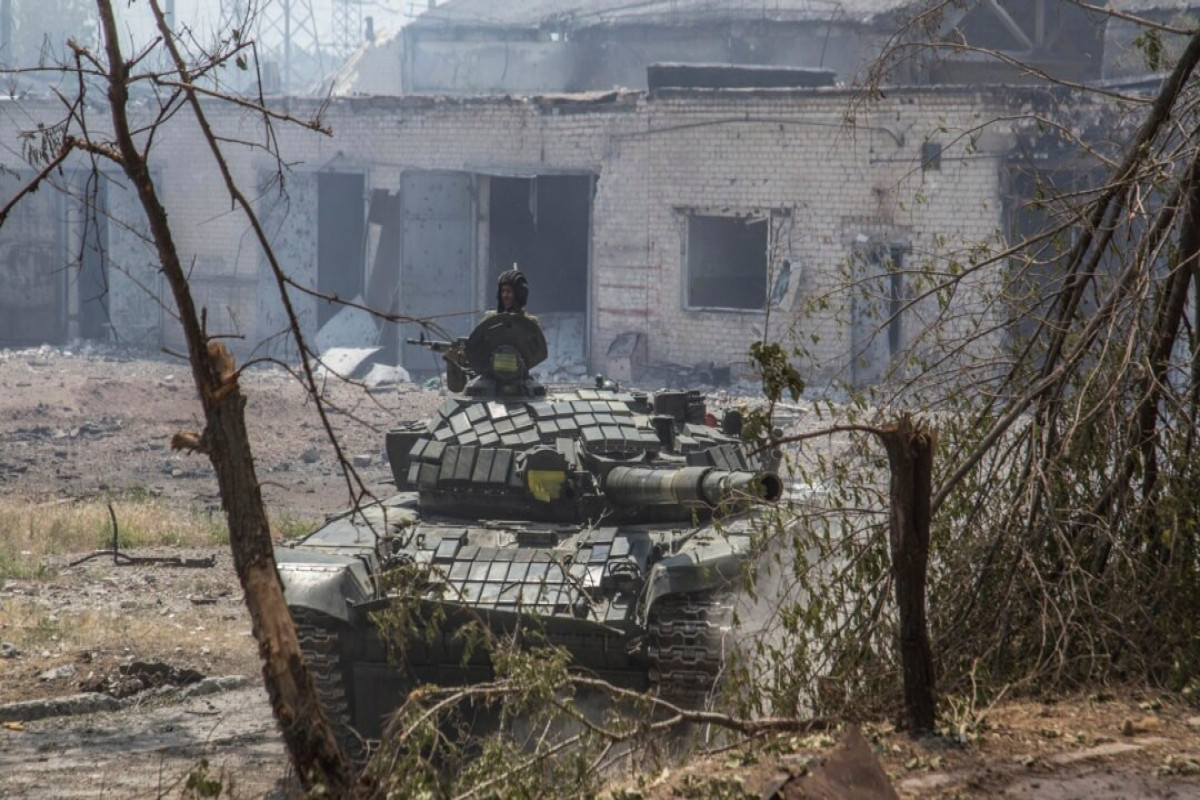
x: 80, y: 424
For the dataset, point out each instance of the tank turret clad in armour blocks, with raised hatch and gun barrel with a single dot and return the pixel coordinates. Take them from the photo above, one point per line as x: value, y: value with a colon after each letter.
x: 505, y: 448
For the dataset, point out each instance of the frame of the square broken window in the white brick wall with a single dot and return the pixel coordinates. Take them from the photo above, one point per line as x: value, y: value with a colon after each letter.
x: 773, y: 219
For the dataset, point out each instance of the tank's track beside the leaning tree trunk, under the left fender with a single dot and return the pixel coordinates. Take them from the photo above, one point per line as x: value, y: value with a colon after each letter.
x: 321, y: 642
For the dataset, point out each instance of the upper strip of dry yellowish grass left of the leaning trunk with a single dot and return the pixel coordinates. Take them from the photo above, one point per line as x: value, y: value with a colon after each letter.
x: 31, y: 533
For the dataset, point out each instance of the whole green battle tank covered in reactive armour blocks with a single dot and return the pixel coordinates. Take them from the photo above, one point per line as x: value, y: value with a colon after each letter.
x: 615, y: 522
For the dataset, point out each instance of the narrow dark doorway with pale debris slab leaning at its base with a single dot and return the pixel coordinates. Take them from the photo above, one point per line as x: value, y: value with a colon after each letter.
x: 341, y: 240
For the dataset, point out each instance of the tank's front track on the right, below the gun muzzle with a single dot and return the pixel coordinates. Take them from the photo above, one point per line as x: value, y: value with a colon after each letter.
x: 687, y: 647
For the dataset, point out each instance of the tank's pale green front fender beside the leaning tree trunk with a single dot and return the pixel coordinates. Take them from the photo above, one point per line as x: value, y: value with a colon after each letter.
x: 331, y: 585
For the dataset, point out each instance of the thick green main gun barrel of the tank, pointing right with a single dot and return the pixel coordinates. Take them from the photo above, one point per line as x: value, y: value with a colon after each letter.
x: 689, y: 486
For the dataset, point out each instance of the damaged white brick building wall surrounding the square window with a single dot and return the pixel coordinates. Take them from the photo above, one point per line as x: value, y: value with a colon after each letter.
x: 717, y: 151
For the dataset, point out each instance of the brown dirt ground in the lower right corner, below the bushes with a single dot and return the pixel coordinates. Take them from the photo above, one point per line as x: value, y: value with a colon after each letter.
x: 1088, y: 748
